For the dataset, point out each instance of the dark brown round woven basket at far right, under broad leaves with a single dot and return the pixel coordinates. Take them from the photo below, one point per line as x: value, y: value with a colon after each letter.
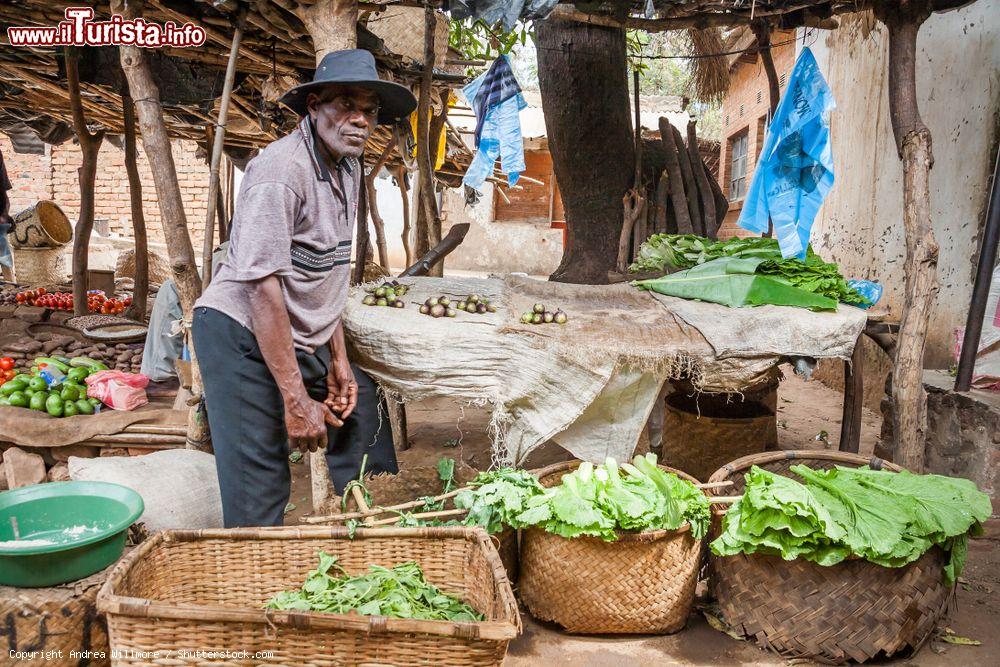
x: 855, y: 610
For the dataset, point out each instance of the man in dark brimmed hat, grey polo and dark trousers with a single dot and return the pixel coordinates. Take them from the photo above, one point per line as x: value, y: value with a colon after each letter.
x: 267, y: 332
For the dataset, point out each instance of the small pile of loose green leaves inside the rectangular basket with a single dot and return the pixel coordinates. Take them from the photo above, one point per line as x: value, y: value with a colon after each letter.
x: 400, y: 591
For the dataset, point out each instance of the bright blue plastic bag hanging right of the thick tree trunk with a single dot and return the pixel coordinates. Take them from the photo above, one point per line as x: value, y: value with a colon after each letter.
x: 795, y: 169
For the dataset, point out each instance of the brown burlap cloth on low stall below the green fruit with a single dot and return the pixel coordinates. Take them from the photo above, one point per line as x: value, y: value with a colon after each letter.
x: 38, y: 429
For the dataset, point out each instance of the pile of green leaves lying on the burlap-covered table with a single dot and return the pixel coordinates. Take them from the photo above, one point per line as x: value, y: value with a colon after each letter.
x: 684, y: 251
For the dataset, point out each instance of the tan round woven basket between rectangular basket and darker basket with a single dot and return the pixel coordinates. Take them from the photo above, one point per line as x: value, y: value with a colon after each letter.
x: 640, y: 583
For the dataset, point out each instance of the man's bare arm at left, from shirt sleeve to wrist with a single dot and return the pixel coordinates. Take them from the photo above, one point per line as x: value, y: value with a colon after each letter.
x: 273, y: 330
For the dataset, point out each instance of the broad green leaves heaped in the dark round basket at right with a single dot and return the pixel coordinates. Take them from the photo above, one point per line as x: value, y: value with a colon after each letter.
x: 890, y: 519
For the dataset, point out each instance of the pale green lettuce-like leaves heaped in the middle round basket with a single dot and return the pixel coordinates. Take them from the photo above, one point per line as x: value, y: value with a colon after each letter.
x: 598, y: 501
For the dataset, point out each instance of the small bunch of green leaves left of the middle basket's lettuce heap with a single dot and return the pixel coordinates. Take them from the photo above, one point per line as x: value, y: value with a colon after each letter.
x: 497, y: 497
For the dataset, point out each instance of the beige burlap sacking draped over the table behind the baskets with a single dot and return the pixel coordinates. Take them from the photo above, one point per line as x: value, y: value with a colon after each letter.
x: 589, y: 384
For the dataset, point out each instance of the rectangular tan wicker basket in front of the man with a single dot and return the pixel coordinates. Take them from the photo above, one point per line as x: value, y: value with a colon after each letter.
x: 205, y: 590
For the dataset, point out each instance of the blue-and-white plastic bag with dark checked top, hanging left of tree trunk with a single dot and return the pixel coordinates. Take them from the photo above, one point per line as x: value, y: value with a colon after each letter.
x: 496, y: 98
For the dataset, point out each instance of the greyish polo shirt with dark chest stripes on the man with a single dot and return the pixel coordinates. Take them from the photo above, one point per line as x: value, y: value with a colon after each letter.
x: 294, y: 219
